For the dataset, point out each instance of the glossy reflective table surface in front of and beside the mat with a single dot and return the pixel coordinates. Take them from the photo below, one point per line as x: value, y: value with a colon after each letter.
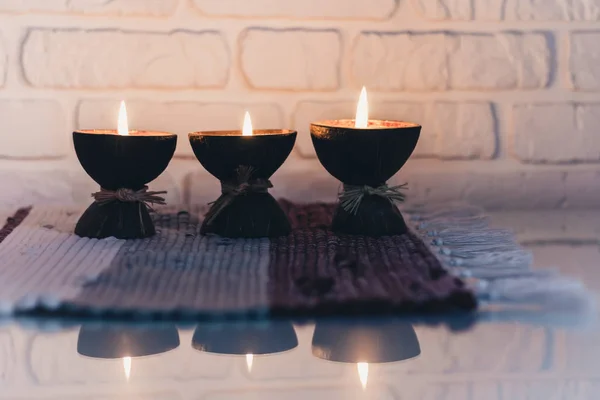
x: 501, y: 353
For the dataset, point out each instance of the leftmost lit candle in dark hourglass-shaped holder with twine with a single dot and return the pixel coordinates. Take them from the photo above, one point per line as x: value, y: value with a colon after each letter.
x: 122, y: 162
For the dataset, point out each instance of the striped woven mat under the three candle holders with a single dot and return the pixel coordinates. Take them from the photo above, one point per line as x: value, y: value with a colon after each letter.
x: 45, y: 267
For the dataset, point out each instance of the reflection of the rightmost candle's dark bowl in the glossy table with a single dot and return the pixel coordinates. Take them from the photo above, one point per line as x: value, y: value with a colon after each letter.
x: 365, y: 340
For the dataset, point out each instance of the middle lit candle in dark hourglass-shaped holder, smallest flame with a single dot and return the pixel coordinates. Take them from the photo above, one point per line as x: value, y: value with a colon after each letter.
x: 244, y: 161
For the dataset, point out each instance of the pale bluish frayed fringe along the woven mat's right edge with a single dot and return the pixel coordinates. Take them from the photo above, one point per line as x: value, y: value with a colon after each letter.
x: 490, y: 260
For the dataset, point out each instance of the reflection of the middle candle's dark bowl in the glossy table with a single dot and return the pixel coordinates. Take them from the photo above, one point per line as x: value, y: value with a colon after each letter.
x: 248, y: 337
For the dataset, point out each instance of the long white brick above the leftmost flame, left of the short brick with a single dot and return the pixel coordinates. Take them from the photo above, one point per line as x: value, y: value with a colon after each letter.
x: 108, y: 59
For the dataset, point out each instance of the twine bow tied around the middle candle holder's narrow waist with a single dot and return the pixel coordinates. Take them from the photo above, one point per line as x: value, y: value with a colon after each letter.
x: 243, y: 184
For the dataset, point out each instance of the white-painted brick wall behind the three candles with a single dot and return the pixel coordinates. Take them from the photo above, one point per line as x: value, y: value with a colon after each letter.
x: 508, y: 92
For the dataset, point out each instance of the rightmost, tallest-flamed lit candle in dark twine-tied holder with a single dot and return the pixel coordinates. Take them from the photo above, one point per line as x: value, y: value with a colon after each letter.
x: 364, y: 154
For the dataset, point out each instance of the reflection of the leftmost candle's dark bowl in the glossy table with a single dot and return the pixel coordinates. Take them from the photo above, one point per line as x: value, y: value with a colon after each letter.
x: 112, y: 342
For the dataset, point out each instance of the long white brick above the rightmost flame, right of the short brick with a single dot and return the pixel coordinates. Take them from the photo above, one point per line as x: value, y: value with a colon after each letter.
x: 400, y: 61
